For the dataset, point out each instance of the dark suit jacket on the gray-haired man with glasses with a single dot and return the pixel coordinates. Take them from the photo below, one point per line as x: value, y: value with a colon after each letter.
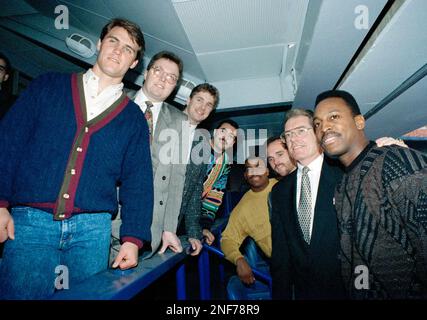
x: 313, y: 270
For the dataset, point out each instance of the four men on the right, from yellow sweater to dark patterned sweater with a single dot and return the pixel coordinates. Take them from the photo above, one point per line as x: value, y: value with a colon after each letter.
x: 347, y: 215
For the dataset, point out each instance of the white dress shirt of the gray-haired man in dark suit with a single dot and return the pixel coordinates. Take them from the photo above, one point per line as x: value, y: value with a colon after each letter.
x: 314, y: 175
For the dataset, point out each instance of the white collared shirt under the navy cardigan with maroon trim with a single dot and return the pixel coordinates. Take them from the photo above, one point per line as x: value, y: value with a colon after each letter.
x: 98, y: 103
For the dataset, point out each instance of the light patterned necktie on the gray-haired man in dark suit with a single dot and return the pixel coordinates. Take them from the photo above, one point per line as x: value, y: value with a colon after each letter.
x: 304, y: 206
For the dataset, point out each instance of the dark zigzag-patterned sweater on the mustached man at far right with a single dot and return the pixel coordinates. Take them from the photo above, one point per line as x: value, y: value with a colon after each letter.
x: 382, y: 212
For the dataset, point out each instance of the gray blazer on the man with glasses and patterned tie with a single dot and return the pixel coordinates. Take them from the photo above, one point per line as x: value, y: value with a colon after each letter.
x: 168, y: 177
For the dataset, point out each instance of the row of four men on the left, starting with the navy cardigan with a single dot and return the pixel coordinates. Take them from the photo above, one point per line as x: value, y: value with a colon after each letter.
x: 71, y: 141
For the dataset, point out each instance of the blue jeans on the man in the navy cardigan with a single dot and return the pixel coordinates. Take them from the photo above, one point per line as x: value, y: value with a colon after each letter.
x: 79, y: 244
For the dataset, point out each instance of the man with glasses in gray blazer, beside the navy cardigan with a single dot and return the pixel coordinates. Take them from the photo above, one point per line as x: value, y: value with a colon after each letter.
x: 161, y: 78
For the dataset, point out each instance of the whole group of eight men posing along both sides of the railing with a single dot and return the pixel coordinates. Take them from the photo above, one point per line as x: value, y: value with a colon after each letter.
x: 70, y: 141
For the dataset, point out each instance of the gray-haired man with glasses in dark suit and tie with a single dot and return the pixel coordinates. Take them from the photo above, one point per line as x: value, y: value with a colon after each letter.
x: 304, y: 223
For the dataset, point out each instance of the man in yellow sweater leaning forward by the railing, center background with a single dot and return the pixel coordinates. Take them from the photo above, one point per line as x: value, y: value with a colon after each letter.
x: 249, y: 218
